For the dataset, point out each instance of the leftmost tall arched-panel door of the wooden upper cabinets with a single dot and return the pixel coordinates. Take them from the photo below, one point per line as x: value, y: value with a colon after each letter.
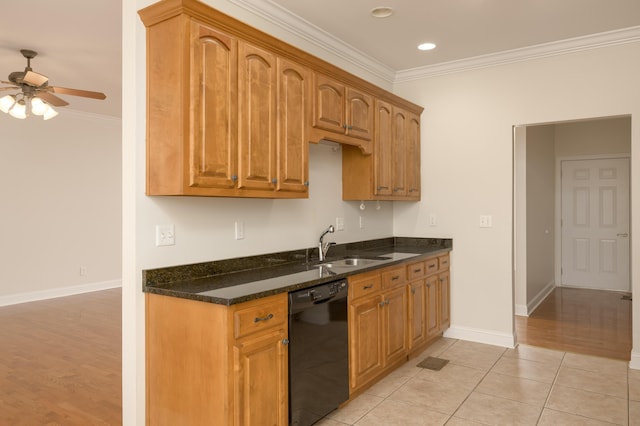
x: 212, y: 151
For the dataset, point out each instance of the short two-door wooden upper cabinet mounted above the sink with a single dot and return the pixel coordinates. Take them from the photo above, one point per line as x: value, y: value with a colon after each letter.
x: 342, y: 113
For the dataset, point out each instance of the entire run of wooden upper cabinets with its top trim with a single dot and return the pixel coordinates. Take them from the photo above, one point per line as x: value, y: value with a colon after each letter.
x: 231, y: 110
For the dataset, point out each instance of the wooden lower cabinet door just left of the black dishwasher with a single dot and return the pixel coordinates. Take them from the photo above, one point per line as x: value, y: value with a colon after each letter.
x: 260, y: 382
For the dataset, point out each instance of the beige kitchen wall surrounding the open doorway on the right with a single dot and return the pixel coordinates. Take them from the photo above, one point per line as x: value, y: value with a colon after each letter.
x: 467, y: 166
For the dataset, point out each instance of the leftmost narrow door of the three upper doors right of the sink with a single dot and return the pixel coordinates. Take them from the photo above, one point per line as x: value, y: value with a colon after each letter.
x: 383, y: 148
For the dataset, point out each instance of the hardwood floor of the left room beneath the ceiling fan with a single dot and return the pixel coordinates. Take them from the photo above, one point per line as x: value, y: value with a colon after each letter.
x: 60, y: 361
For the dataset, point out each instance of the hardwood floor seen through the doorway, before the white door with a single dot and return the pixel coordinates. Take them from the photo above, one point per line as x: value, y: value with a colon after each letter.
x: 590, y: 322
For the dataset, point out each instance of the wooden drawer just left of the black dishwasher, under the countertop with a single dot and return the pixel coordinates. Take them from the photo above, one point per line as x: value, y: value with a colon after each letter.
x: 259, y: 317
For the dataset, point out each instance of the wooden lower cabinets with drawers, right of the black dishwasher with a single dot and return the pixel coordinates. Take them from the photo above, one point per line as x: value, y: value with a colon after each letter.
x: 393, y: 314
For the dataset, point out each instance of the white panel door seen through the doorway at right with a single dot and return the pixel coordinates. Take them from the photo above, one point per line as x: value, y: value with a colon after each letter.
x: 595, y: 223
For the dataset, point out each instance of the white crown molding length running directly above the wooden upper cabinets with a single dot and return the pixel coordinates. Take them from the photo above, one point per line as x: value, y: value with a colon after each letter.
x: 304, y: 29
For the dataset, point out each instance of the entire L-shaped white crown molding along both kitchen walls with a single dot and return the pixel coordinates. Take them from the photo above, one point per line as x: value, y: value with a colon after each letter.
x: 304, y: 29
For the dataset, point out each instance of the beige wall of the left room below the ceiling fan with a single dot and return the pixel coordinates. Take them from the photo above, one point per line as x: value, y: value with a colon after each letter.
x: 61, y: 205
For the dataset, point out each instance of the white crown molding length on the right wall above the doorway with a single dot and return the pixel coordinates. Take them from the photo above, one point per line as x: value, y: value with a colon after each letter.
x: 561, y: 47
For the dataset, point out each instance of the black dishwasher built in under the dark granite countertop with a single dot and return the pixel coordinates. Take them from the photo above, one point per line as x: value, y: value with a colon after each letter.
x: 318, y: 352
